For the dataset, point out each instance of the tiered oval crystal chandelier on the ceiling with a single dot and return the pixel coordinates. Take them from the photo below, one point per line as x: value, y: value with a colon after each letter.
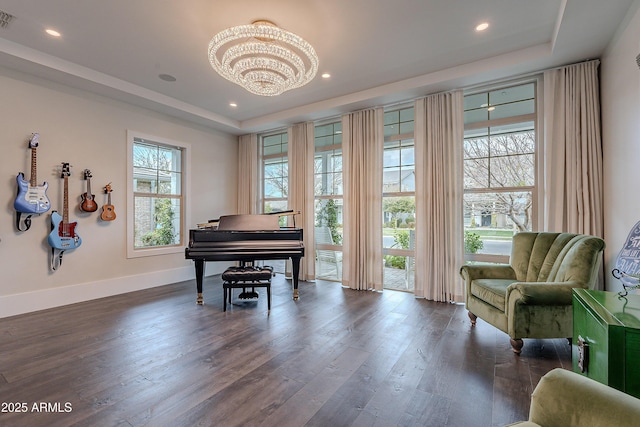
x: 262, y: 58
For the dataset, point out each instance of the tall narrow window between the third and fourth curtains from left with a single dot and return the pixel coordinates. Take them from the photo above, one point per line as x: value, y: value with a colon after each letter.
x: 398, y: 199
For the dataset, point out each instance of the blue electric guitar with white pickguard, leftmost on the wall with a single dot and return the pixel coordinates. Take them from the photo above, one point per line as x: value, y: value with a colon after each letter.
x: 31, y: 198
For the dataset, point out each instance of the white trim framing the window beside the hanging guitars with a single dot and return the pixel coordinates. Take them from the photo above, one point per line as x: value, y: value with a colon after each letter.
x: 186, y: 185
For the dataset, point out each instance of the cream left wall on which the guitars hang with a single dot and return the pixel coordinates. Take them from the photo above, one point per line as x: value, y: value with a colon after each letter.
x: 90, y: 132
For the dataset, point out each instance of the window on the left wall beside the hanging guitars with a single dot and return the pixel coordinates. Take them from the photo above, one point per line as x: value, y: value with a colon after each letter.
x: 156, y: 194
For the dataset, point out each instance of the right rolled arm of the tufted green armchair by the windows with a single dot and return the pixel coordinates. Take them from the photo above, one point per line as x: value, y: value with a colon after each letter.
x: 541, y: 293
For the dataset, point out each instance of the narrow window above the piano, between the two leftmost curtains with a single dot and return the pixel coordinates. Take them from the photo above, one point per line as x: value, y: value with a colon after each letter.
x: 275, y: 172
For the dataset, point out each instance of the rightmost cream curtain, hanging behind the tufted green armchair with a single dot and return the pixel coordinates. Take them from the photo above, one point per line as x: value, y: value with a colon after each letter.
x: 573, y: 176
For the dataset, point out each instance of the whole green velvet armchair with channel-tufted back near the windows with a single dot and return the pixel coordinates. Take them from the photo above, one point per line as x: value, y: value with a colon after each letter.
x: 531, y: 296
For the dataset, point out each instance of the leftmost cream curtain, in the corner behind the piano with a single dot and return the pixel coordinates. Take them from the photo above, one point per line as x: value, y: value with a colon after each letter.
x: 248, y: 174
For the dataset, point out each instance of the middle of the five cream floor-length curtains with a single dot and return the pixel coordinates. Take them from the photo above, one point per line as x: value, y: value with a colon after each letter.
x: 362, y: 148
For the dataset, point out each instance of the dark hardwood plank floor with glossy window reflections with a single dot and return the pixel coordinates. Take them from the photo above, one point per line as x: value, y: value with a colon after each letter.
x: 336, y: 357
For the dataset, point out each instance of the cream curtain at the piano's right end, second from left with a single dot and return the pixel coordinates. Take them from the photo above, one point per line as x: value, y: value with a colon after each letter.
x: 301, y: 191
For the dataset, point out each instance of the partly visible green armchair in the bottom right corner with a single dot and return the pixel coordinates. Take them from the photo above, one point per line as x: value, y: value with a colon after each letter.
x: 564, y: 398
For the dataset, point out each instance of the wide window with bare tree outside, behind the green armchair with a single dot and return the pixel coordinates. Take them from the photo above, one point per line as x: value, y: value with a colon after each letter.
x: 499, y: 169
